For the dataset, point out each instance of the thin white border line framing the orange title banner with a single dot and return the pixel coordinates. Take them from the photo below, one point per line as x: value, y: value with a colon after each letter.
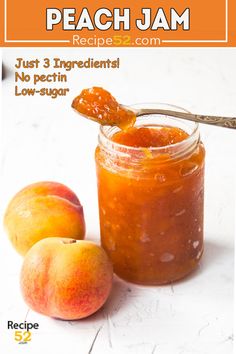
x: 162, y: 40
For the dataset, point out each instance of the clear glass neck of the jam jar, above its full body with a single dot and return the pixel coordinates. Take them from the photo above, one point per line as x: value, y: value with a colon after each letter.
x: 136, y: 155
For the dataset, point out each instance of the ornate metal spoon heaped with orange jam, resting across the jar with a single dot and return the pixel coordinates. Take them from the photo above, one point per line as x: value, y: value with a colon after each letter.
x: 99, y: 105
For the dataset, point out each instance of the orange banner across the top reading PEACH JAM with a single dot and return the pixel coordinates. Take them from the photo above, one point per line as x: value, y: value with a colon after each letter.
x: 118, y: 23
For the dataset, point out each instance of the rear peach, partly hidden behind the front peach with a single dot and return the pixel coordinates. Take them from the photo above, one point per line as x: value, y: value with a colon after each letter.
x: 44, y: 209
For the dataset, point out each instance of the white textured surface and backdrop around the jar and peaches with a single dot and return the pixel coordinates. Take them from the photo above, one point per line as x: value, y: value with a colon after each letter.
x: 44, y: 140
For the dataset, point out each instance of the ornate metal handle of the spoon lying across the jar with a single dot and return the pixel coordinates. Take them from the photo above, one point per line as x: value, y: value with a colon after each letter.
x: 226, y: 122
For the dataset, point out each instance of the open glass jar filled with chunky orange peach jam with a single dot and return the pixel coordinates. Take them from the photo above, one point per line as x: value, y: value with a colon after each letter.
x: 151, y: 203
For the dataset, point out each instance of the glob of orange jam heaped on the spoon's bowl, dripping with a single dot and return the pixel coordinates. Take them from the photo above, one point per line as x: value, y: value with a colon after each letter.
x: 99, y: 105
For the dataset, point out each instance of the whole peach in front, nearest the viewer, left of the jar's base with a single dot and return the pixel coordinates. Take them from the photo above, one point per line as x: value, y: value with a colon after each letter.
x: 66, y: 278
